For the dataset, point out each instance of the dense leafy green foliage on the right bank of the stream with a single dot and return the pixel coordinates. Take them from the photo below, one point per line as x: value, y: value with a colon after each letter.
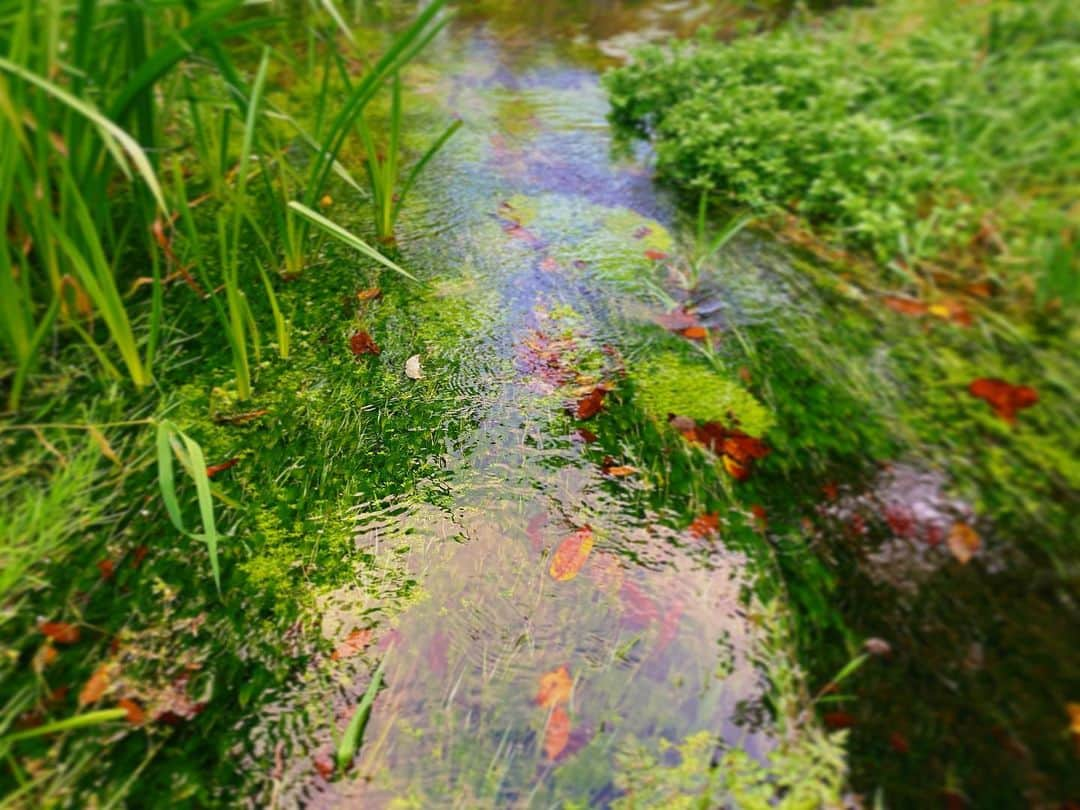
x: 899, y: 131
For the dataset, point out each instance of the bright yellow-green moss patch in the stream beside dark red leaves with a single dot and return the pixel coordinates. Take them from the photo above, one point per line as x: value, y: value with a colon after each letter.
x: 670, y: 384
